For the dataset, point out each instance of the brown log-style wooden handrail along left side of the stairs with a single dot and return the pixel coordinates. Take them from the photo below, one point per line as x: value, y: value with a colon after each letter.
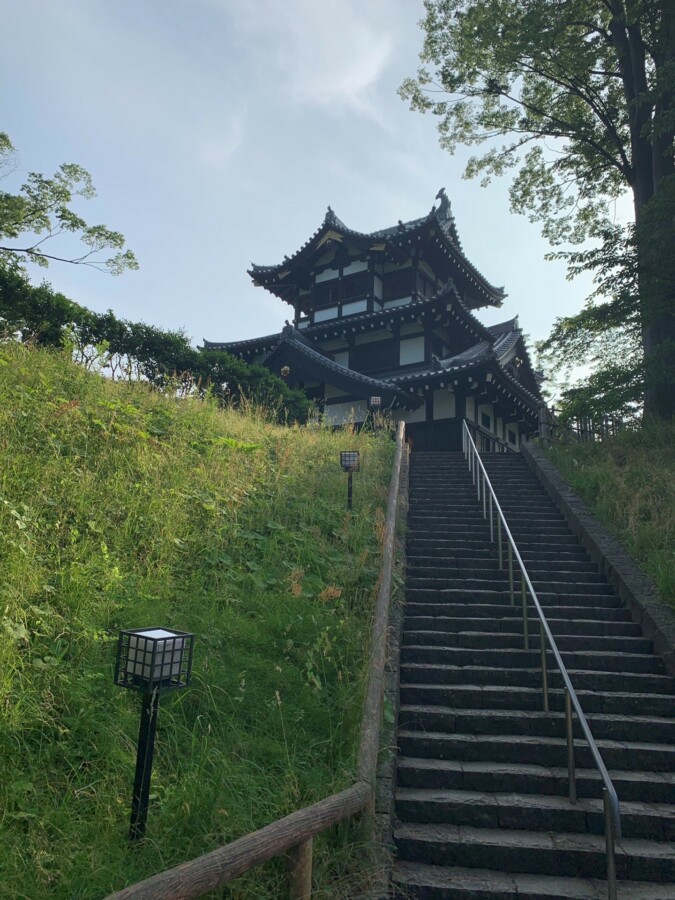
x: 295, y: 832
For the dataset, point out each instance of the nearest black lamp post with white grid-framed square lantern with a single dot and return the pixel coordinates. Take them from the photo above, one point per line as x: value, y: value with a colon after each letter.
x: 150, y: 660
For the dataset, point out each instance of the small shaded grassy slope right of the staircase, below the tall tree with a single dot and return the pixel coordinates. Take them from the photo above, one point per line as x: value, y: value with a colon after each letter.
x: 629, y: 483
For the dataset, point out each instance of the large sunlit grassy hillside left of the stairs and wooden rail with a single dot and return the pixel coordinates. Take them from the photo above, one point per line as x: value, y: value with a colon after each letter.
x: 120, y: 508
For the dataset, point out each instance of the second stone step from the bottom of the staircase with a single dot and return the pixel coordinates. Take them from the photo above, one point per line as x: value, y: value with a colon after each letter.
x: 534, y: 852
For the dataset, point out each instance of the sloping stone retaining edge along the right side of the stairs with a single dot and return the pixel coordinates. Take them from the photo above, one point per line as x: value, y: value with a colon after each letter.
x: 637, y: 592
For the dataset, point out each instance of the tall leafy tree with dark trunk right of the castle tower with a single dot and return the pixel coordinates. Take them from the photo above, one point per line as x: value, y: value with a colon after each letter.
x: 583, y: 92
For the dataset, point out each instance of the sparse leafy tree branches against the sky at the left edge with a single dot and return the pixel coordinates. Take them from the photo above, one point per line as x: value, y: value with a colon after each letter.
x: 41, y: 210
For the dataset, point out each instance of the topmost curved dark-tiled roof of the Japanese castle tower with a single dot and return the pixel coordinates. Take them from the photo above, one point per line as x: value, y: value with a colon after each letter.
x: 439, y: 221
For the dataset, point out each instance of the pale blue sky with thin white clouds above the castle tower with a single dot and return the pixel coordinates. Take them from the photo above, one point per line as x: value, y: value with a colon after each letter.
x: 218, y: 131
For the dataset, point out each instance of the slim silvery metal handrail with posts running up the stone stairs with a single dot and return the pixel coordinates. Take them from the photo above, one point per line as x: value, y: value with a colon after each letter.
x: 609, y: 795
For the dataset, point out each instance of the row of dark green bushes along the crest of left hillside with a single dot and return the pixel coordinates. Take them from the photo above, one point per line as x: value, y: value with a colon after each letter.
x: 134, y: 350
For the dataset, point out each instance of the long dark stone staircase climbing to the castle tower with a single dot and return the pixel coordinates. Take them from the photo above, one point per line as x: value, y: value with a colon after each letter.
x: 482, y: 808
